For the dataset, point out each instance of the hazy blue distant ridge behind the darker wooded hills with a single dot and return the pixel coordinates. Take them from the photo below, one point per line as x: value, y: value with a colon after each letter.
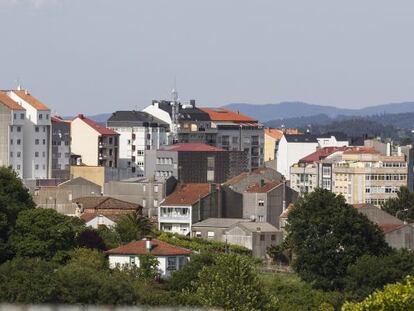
x: 285, y: 110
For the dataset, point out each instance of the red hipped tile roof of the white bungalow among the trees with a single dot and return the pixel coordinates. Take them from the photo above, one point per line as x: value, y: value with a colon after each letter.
x: 158, y: 248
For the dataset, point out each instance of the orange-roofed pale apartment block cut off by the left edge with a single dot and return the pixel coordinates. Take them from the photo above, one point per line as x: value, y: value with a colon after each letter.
x: 12, y: 121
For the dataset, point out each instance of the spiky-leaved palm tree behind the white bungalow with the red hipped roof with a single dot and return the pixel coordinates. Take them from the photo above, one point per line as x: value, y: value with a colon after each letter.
x: 133, y: 227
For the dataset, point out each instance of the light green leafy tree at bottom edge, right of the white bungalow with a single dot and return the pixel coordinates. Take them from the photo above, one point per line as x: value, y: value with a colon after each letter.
x: 232, y: 283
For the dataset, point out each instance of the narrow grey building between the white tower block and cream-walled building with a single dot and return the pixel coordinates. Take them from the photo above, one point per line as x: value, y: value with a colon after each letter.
x: 61, y: 156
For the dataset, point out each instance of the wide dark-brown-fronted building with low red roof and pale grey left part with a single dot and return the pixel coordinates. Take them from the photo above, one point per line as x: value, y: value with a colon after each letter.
x: 195, y: 163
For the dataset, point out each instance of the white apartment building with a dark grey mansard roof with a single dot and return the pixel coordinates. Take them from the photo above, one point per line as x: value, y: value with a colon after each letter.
x: 138, y: 131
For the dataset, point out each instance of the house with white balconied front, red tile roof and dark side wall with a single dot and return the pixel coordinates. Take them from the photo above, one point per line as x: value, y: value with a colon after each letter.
x: 188, y: 204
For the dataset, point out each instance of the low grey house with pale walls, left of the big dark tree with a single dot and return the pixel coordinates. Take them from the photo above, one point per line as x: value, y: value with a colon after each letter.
x: 255, y: 236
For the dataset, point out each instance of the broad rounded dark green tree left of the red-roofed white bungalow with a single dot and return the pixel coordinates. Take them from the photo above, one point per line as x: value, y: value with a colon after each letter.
x: 43, y: 232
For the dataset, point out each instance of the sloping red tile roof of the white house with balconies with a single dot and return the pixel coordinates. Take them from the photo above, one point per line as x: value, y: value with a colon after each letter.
x: 187, y: 194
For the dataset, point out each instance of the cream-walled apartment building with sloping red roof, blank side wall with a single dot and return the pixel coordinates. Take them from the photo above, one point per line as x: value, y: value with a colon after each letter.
x: 97, y: 145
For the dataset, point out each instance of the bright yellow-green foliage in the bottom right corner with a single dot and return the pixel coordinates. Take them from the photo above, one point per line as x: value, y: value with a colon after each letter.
x: 399, y: 296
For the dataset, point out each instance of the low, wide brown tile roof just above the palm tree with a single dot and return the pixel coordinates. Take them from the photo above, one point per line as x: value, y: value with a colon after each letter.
x: 106, y: 203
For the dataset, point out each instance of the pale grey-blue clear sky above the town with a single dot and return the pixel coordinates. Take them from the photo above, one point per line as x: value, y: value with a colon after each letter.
x: 97, y: 56
